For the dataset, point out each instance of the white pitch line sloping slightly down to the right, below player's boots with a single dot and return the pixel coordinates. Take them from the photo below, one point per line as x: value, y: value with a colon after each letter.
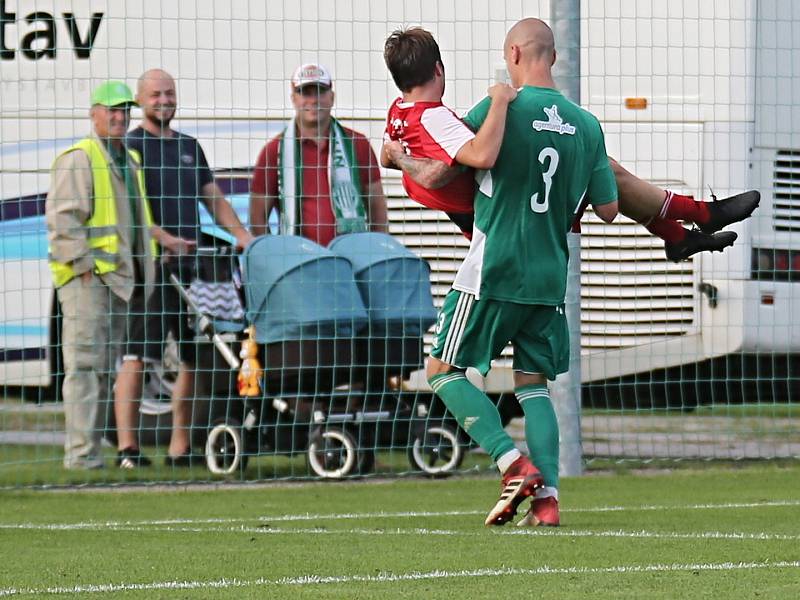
x: 421, y: 531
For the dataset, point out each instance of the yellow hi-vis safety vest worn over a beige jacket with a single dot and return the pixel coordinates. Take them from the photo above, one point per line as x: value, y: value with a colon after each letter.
x: 102, y: 235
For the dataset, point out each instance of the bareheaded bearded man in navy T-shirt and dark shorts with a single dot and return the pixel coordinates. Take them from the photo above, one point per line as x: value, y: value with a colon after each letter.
x: 177, y: 176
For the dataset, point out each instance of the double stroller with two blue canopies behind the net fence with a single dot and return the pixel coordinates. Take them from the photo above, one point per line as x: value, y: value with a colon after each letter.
x: 339, y: 330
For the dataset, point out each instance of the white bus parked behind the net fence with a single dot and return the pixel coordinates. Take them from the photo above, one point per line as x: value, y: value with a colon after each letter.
x: 722, y: 112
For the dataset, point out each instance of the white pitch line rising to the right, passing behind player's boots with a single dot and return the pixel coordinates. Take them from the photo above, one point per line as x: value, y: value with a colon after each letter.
x: 387, y: 515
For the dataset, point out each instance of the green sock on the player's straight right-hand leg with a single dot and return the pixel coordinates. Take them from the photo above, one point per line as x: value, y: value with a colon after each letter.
x: 541, y: 430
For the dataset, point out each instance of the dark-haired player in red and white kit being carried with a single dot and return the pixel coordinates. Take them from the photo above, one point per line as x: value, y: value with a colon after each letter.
x: 425, y: 139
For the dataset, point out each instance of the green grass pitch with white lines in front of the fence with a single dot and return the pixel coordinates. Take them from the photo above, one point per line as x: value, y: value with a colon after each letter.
x: 714, y: 532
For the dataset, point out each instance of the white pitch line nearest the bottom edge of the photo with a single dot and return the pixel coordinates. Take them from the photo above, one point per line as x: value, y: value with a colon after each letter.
x: 305, y: 580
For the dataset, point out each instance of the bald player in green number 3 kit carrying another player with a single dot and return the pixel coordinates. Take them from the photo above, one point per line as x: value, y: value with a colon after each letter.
x: 512, y: 283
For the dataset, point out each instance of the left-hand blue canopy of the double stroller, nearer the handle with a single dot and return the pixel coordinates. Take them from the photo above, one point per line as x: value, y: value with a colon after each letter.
x: 296, y: 289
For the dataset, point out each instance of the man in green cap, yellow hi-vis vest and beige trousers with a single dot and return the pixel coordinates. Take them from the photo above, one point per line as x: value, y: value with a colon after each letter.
x: 102, y: 246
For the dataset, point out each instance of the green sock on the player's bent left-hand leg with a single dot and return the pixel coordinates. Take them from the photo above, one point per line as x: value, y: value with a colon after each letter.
x: 474, y: 412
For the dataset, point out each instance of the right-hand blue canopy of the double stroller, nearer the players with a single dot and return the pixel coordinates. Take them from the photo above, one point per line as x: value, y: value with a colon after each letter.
x: 393, y: 281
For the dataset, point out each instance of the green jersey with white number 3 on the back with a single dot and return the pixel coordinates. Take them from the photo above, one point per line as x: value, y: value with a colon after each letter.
x: 553, y: 154
